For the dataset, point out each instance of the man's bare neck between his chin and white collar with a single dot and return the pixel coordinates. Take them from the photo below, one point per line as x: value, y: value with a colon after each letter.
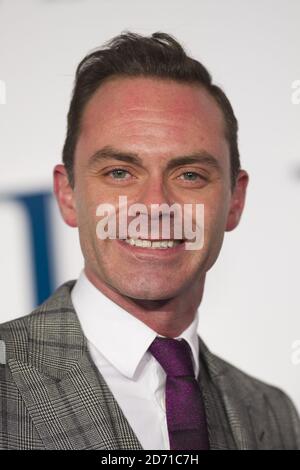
x: 168, y: 317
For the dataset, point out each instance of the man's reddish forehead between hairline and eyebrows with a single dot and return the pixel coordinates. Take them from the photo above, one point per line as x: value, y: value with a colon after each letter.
x: 147, y: 112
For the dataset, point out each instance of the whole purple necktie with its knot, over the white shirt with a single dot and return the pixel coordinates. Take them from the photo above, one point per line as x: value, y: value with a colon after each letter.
x: 184, y: 407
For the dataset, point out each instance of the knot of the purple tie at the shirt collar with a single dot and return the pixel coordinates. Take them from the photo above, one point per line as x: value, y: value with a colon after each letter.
x: 173, y: 355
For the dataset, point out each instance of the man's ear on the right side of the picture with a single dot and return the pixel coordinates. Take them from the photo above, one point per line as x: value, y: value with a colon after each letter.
x: 237, y: 201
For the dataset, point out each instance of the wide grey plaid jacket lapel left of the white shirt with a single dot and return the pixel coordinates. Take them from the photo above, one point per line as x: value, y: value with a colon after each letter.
x: 69, y: 402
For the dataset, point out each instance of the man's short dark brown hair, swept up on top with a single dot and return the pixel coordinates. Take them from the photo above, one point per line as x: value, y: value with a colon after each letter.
x: 133, y: 55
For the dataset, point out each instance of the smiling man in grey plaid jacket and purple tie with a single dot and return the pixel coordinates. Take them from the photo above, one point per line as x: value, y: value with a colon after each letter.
x: 113, y: 361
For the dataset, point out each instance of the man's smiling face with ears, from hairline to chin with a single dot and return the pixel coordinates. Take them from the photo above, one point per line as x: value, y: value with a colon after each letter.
x: 157, y: 121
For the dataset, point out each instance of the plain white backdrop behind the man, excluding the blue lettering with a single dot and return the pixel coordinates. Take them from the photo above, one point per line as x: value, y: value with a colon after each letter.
x: 251, y: 311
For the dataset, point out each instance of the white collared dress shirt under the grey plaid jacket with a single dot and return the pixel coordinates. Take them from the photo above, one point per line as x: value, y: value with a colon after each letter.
x: 118, y: 343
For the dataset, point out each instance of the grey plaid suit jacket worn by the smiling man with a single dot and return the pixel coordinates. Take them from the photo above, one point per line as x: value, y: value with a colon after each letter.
x: 53, y: 397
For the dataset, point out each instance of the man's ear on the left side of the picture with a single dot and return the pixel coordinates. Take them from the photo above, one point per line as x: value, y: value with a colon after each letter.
x: 64, y: 195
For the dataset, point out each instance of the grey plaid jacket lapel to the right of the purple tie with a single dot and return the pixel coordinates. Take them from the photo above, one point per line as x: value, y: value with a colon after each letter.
x: 229, y: 411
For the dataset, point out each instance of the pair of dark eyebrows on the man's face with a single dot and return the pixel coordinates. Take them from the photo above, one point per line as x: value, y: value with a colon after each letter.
x: 109, y: 153
